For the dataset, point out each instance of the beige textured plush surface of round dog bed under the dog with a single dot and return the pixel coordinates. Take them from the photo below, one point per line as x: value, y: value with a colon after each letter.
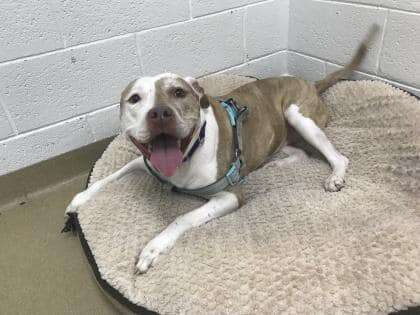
x: 293, y: 247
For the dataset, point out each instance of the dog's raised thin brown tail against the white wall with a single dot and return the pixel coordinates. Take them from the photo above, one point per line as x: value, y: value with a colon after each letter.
x: 336, y: 76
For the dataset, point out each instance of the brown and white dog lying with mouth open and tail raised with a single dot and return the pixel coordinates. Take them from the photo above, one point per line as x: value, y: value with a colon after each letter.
x: 165, y: 115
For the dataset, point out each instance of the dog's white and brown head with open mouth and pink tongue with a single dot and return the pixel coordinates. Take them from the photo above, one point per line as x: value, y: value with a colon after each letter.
x: 160, y: 114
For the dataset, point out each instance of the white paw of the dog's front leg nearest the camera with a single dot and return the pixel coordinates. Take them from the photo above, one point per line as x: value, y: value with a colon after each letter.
x: 149, y: 255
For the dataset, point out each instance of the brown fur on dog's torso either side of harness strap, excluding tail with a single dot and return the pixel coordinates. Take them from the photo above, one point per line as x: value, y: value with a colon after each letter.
x: 265, y: 130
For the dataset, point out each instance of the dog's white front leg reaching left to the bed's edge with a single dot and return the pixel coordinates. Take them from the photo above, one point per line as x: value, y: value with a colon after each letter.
x: 82, y: 197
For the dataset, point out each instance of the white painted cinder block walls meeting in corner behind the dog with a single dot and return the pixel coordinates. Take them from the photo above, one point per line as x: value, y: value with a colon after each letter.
x: 64, y: 63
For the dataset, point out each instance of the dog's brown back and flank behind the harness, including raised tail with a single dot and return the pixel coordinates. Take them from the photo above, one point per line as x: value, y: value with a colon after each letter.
x: 268, y: 99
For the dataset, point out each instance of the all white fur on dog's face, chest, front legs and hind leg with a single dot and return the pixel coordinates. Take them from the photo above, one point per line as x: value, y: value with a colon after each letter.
x: 201, y: 169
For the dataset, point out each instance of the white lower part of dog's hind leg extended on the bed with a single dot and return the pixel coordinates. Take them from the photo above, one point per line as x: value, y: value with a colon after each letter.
x: 307, y: 128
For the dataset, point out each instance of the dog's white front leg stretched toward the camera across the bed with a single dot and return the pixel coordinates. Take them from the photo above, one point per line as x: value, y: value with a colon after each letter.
x: 219, y: 205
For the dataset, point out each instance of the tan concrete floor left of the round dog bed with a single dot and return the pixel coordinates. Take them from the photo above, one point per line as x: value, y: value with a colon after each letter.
x: 41, y: 270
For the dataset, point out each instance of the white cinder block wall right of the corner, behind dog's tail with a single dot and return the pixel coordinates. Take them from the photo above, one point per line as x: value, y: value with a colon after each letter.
x: 323, y: 34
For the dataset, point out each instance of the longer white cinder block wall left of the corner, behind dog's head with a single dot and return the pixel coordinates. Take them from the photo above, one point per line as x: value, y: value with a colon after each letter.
x: 64, y: 63
